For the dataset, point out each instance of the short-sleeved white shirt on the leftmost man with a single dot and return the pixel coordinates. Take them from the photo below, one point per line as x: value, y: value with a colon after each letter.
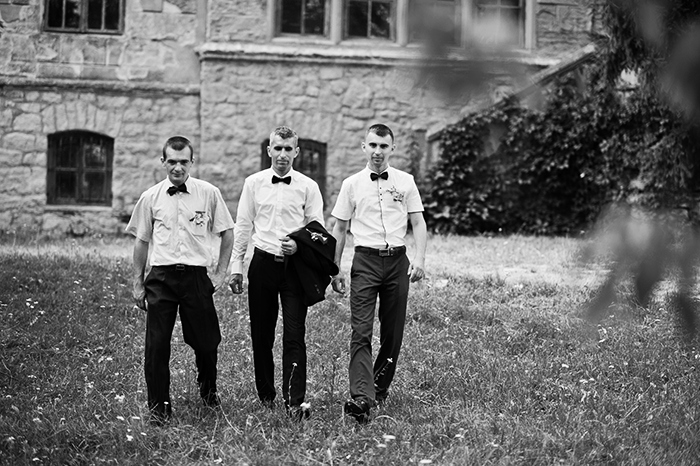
x: 183, y: 227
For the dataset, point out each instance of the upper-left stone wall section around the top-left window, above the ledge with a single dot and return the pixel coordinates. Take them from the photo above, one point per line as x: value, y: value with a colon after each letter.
x: 157, y: 45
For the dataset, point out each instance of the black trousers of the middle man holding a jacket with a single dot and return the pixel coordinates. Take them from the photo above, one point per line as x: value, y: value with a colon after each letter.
x: 269, y: 279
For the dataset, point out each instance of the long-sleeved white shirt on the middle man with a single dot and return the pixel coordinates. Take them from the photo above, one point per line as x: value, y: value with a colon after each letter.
x: 273, y: 211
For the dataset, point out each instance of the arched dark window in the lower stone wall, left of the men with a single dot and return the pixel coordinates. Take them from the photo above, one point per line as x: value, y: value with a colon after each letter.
x: 79, y: 168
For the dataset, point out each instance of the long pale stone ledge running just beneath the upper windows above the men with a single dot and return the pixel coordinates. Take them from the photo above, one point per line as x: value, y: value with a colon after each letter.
x: 358, y: 54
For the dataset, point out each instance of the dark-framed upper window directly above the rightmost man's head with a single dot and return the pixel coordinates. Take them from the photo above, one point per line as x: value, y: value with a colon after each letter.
x: 372, y: 19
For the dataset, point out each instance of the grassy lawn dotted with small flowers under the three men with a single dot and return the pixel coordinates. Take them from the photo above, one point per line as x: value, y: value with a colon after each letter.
x: 497, y: 367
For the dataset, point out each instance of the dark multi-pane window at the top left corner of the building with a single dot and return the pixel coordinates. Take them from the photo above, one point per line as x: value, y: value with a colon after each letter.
x: 86, y: 16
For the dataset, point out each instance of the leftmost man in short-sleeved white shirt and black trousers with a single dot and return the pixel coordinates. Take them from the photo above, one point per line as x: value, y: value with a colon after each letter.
x: 183, y: 218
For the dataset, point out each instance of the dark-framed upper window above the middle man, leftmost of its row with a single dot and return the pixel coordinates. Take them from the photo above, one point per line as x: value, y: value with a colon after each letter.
x: 305, y: 17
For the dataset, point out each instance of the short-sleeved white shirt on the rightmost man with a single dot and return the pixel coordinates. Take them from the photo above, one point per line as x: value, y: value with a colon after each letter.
x: 379, y: 209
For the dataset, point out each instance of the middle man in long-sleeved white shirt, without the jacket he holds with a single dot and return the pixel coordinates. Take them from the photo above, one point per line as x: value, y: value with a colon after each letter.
x: 274, y: 203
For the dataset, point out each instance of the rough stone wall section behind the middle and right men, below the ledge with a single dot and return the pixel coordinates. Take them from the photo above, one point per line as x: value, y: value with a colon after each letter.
x: 242, y: 101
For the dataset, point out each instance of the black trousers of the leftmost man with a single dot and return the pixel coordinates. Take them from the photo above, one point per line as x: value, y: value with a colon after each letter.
x: 191, y: 291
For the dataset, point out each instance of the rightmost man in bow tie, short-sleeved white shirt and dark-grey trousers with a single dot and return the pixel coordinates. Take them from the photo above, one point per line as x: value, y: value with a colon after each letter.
x: 380, y: 200
